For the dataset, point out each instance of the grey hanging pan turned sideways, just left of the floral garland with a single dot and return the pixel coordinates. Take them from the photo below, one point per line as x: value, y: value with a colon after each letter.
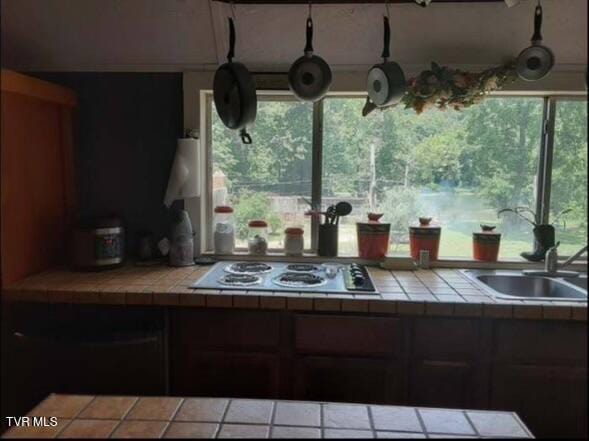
x: 386, y: 81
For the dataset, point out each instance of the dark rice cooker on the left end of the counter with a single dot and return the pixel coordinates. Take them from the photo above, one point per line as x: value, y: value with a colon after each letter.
x: 98, y: 243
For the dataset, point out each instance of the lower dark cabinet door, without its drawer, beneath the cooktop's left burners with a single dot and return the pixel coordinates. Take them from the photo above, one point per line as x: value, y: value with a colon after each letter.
x: 218, y: 374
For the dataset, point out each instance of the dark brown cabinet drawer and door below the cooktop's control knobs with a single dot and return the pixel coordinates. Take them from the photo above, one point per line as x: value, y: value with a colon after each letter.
x: 348, y: 358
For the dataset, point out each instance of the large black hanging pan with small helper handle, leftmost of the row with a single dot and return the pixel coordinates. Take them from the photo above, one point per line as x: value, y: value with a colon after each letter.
x: 234, y: 92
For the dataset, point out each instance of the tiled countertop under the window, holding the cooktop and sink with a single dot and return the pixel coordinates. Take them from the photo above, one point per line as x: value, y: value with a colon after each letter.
x: 436, y: 292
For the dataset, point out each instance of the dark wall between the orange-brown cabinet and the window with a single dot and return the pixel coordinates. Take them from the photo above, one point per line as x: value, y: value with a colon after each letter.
x: 126, y: 128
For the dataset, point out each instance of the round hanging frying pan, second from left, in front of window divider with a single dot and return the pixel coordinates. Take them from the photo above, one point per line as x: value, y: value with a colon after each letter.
x: 309, y: 76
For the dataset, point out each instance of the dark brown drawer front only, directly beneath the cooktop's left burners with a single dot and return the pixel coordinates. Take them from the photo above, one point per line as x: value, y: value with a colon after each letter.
x: 220, y: 330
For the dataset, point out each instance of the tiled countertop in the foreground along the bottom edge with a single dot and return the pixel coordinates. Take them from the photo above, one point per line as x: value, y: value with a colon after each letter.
x: 83, y: 416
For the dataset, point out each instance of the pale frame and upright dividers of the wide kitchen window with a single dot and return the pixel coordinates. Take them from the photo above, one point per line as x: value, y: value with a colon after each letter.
x: 543, y: 178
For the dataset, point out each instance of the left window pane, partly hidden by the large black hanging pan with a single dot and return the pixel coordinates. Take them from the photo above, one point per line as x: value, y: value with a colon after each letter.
x: 271, y: 178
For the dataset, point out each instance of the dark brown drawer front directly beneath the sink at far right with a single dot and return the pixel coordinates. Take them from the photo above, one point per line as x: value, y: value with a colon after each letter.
x: 540, y: 342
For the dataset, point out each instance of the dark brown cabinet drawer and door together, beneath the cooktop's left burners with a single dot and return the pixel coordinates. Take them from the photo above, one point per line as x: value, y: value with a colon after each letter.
x: 225, y: 353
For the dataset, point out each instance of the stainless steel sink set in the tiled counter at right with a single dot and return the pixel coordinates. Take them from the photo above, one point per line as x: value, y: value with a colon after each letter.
x: 515, y: 285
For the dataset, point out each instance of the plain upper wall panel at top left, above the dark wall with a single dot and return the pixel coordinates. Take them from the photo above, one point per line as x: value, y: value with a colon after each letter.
x: 72, y: 33
